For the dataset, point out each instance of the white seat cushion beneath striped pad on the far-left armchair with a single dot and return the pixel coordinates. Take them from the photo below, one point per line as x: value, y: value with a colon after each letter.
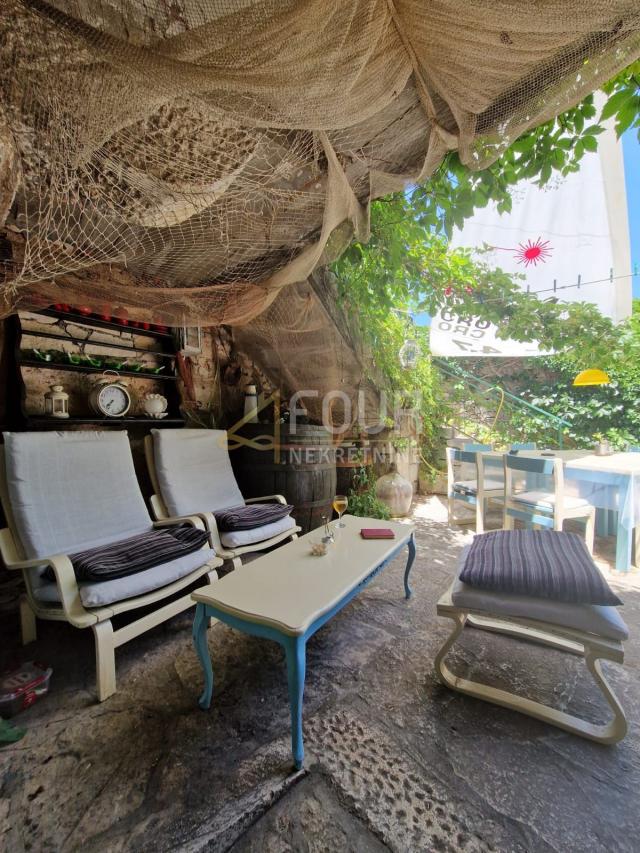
x: 110, y: 592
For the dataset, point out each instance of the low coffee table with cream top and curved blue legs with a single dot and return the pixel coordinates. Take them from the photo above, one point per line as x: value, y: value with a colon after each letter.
x: 288, y: 594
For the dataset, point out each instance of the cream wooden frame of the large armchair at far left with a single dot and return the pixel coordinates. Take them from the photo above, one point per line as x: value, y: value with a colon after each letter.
x: 71, y: 609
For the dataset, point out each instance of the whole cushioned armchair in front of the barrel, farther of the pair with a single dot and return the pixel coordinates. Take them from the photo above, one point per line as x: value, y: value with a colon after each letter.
x: 191, y: 474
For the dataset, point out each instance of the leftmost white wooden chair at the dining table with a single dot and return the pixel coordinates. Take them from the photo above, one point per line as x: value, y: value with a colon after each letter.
x: 474, y: 492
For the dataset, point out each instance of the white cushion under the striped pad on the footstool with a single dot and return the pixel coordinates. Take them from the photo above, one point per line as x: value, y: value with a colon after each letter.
x: 602, y: 620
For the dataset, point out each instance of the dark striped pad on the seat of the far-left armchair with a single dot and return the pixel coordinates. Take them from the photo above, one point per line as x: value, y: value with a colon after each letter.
x: 136, y: 554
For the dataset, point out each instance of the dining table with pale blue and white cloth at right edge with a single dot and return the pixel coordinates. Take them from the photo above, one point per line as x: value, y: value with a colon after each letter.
x: 610, y: 483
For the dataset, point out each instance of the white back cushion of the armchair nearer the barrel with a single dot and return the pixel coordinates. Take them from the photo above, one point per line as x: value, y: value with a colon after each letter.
x: 194, y: 470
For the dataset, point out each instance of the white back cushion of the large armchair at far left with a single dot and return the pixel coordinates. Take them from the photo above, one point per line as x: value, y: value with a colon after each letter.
x: 72, y: 490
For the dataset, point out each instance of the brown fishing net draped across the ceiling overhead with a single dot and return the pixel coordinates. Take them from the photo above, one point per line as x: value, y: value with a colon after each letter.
x: 209, y: 149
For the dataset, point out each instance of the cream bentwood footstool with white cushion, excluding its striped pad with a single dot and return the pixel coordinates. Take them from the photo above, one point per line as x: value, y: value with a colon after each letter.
x: 595, y: 632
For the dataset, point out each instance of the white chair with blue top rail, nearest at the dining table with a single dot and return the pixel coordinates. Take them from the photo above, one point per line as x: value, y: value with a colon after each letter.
x: 546, y: 507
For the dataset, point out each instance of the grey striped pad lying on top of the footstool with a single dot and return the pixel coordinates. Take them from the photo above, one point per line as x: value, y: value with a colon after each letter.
x: 537, y: 563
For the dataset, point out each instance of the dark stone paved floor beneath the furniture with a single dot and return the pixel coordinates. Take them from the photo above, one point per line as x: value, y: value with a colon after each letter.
x: 394, y: 760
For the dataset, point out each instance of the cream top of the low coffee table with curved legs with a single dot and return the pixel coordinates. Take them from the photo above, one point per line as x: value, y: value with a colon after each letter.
x: 289, y: 588
